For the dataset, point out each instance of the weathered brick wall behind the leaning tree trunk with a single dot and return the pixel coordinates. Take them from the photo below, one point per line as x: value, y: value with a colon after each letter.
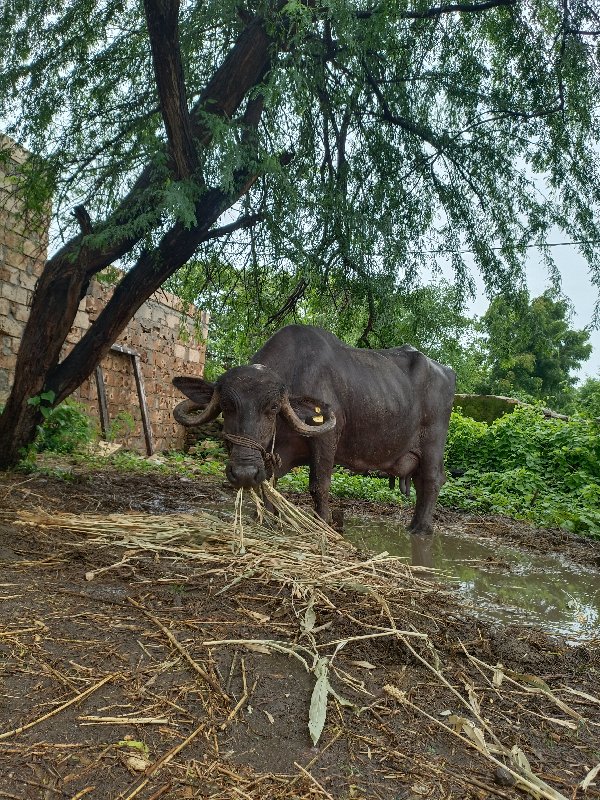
x: 168, y: 341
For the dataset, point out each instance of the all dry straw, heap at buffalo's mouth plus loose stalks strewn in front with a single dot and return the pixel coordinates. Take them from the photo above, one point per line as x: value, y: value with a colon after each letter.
x: 319, y: 569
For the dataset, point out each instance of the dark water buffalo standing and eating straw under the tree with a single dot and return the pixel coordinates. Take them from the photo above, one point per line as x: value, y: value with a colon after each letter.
x: 308, y: 398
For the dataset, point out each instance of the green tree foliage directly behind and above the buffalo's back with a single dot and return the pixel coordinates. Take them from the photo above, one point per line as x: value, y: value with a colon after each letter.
x: 431, y: 317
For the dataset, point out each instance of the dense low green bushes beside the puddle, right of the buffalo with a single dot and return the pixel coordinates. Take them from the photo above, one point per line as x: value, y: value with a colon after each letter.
x: 526, y: 466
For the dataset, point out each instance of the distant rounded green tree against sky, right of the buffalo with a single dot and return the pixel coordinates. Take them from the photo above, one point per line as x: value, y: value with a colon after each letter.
x: 531, y: 349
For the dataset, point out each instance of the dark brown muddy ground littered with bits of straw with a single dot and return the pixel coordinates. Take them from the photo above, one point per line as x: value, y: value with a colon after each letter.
x: 108, y: 689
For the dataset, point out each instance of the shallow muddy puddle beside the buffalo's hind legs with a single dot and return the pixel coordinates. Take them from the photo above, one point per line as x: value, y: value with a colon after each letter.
x: 499, y: 581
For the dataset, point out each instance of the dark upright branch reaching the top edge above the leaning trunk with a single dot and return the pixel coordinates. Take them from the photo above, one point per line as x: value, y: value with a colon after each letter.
x: 163, y: 30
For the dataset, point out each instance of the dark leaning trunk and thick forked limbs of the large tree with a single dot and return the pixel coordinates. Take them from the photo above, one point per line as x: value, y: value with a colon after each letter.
x: 66, y: 275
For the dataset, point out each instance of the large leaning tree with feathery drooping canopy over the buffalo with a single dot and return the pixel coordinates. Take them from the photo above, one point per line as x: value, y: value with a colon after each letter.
x: 339, y: 143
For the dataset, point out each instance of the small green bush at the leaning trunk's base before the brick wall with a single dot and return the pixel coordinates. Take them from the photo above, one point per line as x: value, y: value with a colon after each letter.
x: 66, y: 428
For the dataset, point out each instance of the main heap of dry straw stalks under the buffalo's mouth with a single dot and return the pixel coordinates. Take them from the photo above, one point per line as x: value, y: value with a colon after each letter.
x: 294, y: 548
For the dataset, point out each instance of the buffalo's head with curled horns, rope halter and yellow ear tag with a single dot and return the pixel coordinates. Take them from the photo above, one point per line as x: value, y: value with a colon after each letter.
x: 251, y: 399
